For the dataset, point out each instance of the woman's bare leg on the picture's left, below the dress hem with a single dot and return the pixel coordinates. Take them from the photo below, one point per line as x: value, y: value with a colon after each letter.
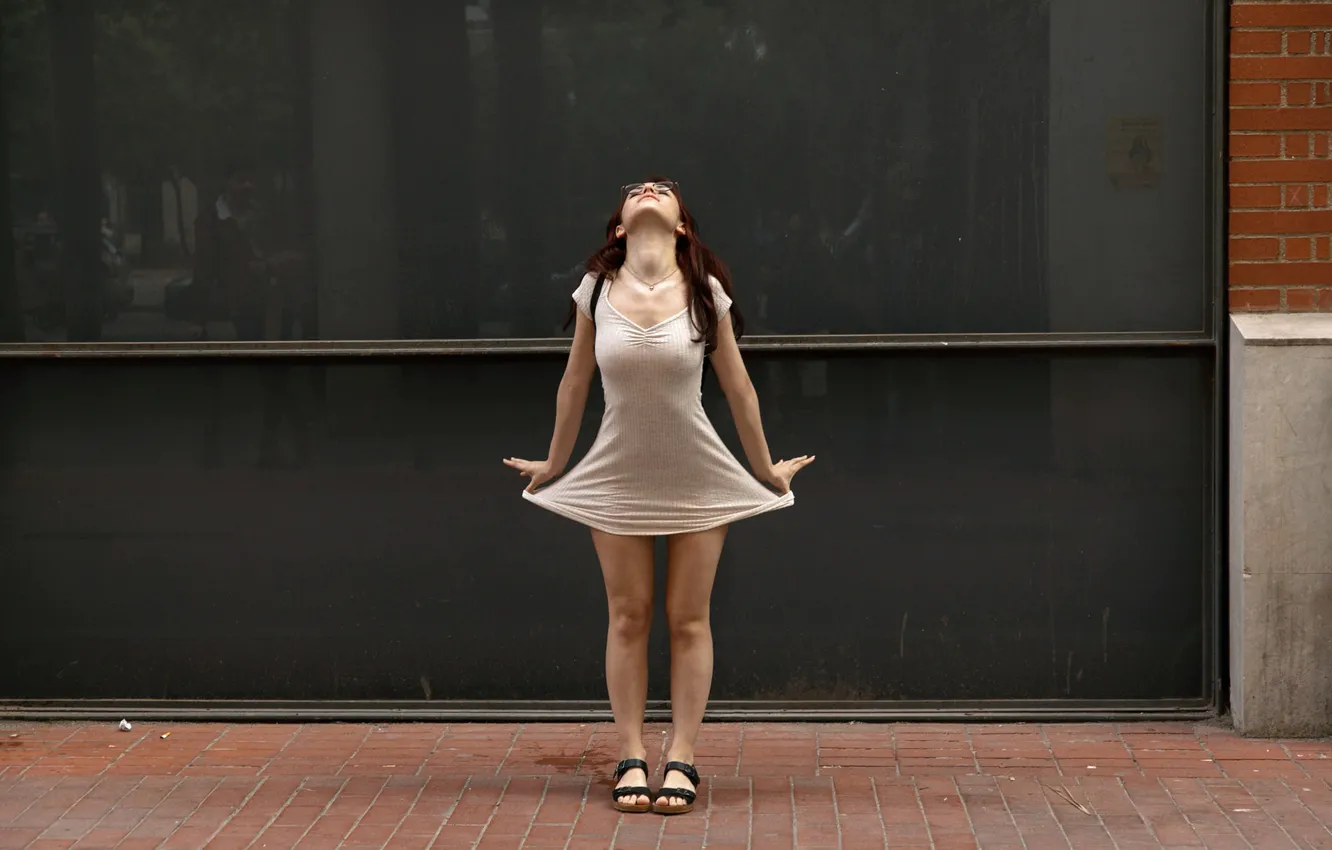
x: 627, y: 566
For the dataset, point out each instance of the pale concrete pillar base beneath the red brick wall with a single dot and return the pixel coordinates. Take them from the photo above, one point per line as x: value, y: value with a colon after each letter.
x: 1281, y: 510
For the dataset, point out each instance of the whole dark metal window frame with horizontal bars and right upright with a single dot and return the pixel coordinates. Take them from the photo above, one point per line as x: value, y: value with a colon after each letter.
x: 1213, y: 338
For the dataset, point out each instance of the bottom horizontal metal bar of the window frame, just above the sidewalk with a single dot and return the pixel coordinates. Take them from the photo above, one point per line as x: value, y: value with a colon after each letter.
x: 600, y: 712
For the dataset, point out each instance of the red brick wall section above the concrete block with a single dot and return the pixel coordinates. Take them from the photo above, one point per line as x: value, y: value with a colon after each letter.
x: 1281, y: 114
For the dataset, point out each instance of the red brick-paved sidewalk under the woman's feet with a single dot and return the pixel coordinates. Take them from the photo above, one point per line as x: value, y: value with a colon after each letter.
x: 765, y: 787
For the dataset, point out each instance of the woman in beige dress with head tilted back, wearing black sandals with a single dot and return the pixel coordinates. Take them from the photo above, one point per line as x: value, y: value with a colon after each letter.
x: 655, y: 303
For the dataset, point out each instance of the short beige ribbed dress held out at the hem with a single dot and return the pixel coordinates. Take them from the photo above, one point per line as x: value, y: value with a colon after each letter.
x: 657, y: 466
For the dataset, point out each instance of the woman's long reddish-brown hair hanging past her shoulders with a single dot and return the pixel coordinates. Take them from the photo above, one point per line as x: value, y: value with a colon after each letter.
x: 696, y: 260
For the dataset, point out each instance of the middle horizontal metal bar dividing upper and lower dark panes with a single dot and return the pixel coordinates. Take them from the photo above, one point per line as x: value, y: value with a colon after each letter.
x: 560, y: 346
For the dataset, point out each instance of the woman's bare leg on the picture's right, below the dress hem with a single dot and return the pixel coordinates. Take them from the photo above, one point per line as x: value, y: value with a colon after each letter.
x: 689, y: 595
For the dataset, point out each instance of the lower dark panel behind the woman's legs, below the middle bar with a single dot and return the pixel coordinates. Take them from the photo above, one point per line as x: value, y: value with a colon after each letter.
x: 976, y: 528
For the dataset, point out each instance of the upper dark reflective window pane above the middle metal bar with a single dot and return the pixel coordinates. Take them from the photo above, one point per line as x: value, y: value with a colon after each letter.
x: 286, y: 170
